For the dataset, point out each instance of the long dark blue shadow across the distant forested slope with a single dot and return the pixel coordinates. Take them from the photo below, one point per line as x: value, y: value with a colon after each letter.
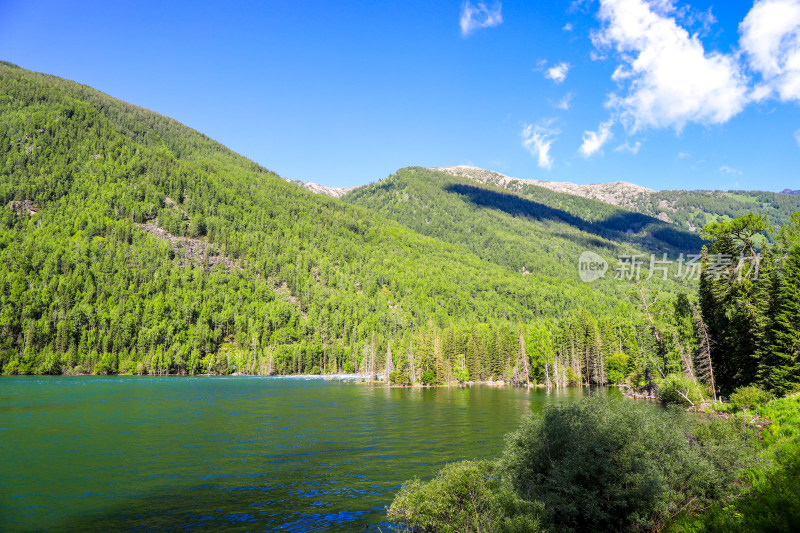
x: 620, y: 227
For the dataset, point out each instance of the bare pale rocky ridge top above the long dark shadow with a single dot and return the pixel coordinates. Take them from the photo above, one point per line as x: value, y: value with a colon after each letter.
x: 620, y: 193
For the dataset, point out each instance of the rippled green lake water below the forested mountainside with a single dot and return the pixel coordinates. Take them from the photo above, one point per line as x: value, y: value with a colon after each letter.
x: 233, y: 453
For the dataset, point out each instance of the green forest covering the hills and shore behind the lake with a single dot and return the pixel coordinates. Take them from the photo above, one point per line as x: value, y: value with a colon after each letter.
x: 132, y: 244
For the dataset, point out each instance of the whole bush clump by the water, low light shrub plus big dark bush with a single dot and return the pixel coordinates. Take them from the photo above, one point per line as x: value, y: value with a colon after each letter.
x: 600, y: 464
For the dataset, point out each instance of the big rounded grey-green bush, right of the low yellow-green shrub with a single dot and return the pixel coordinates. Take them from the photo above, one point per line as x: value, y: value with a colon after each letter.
x: 605, y: 464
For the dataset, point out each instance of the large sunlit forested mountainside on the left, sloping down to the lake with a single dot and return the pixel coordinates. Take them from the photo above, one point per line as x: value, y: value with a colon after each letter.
x: 130, y: 243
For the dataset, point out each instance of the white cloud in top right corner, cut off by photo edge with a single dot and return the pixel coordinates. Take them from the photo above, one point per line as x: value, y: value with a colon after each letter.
x: 770, y: 40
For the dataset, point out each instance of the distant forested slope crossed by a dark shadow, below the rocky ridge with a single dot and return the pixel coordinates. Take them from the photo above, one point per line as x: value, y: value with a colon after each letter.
x: 543, y: 232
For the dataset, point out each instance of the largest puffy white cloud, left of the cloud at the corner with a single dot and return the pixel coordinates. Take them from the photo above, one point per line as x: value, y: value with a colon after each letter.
x: 667, y: 77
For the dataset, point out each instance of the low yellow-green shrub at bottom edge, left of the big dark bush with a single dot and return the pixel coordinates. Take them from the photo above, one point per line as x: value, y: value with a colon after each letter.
x: 464, y: 497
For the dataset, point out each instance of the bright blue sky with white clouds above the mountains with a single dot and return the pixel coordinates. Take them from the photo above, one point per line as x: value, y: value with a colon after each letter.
x: 663, y: 94
